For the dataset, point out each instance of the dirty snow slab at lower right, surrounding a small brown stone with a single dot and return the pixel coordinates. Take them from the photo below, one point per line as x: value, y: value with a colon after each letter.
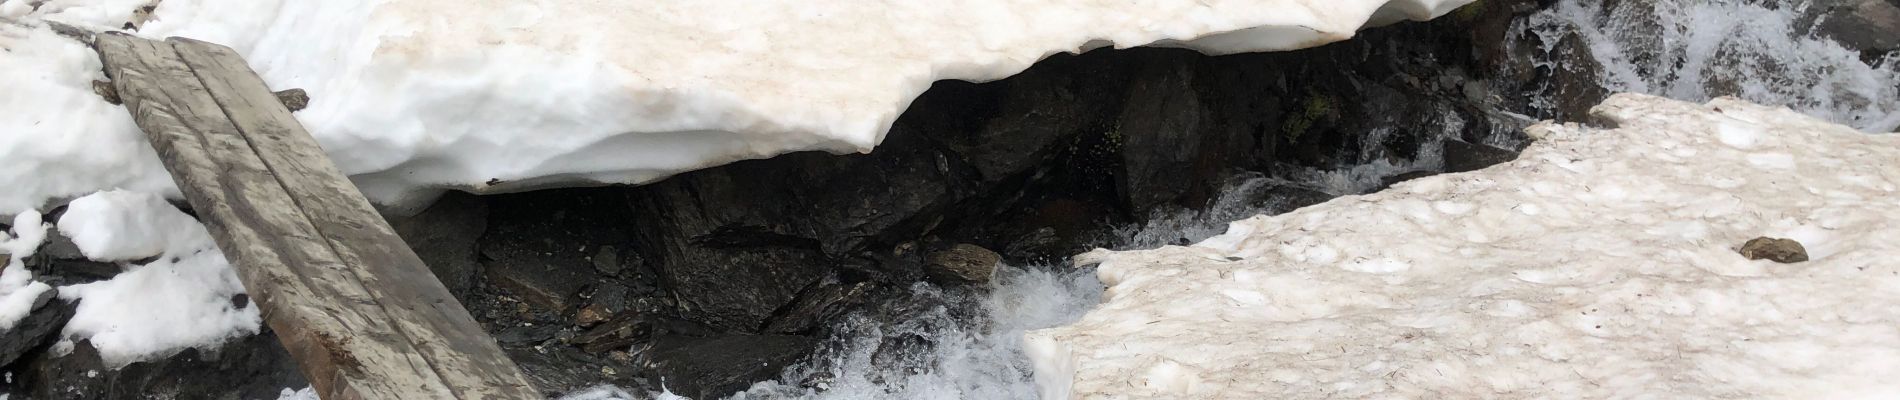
x: 1601, y: 264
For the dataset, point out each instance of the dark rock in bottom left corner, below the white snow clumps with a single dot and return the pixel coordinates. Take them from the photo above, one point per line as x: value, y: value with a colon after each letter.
x: 244, y: 369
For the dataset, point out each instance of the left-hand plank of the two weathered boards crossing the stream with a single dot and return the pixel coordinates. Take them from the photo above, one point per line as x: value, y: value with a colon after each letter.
x: 305, y: 291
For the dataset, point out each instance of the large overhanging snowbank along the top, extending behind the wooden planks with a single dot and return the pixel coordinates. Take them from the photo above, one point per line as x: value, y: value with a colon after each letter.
x: 417, y: 96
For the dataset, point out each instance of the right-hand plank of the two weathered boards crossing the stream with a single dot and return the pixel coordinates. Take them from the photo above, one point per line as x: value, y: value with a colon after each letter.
x: 434, y: 323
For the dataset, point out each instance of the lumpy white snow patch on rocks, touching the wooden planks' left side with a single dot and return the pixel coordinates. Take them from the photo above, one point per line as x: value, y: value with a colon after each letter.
x: 181, y: 300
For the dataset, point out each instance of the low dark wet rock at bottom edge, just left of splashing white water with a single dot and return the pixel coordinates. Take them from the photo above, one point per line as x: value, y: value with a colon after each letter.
x: 723, y: 365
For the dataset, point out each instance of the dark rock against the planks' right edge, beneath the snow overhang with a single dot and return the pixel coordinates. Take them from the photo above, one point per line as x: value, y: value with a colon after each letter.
x: 444, y: 236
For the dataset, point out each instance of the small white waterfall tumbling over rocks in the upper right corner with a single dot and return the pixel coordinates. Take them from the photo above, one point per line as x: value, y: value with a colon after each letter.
x: 1698, y: 50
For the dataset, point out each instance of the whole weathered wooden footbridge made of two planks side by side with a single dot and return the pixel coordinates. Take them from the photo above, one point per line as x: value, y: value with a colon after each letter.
x: 362, y: 319
